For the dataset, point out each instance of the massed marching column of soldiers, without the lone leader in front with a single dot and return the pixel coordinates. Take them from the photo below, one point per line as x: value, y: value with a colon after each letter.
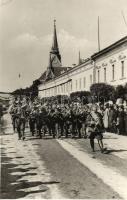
x: 54, y: 119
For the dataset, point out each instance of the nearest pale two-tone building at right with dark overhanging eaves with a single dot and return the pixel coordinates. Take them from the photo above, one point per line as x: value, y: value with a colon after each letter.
x: 110, y: 64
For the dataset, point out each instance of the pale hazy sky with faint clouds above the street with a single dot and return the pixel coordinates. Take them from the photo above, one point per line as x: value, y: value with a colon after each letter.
x: 26, y: 33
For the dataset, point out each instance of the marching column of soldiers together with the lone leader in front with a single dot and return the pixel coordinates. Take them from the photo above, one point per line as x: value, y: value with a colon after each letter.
x: 58, y: 120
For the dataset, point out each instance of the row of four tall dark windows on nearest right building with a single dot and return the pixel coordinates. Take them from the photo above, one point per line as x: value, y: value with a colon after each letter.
x: 113, y: 72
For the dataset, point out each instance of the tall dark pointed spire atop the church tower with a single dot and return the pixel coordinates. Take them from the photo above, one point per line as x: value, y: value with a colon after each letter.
x: 55, y: 48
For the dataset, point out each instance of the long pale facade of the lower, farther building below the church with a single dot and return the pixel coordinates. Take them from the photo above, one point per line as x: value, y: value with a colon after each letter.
x: 61, y: 86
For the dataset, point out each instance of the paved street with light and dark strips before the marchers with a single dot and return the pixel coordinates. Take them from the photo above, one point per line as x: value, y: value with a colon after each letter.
x: 50, y: 168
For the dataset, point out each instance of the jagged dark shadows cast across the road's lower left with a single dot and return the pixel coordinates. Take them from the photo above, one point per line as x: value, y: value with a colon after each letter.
x: 12, y: 187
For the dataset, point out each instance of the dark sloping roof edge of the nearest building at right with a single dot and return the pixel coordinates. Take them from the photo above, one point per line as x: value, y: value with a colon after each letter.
x: 109, y: 48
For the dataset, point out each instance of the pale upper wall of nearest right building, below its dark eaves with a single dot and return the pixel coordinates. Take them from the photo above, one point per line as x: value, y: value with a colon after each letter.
x: 115, y: 58
